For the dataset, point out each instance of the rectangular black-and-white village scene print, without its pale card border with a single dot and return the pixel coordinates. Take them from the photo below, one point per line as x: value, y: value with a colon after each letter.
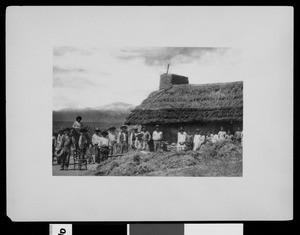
x: 161, y: 111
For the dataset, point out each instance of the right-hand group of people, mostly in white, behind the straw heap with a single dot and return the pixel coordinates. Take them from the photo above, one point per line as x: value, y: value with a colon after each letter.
x: 186, y: 141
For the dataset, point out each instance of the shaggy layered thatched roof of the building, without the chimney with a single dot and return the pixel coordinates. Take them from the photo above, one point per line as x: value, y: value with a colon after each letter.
x: 191, y: 103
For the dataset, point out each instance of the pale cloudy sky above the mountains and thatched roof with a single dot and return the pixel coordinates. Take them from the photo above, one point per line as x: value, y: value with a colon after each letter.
x: 95, y: 76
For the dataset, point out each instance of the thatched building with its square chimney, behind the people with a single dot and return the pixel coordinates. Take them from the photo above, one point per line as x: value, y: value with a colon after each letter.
x: 180, y: 104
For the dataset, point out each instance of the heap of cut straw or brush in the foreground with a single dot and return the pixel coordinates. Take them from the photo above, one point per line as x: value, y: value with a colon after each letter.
x: 221, y: 159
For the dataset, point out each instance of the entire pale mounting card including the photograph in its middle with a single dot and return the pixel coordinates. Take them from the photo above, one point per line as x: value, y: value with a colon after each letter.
x: 138, y: 113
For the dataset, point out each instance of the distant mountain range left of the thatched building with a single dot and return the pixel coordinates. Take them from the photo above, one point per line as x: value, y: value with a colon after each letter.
x: 110, y: 113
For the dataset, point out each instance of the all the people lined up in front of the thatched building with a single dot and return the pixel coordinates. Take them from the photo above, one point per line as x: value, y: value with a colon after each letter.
x: 112, y: 142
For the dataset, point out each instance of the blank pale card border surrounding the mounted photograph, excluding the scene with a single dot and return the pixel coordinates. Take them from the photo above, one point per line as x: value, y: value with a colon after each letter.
x: 264, y: 192
